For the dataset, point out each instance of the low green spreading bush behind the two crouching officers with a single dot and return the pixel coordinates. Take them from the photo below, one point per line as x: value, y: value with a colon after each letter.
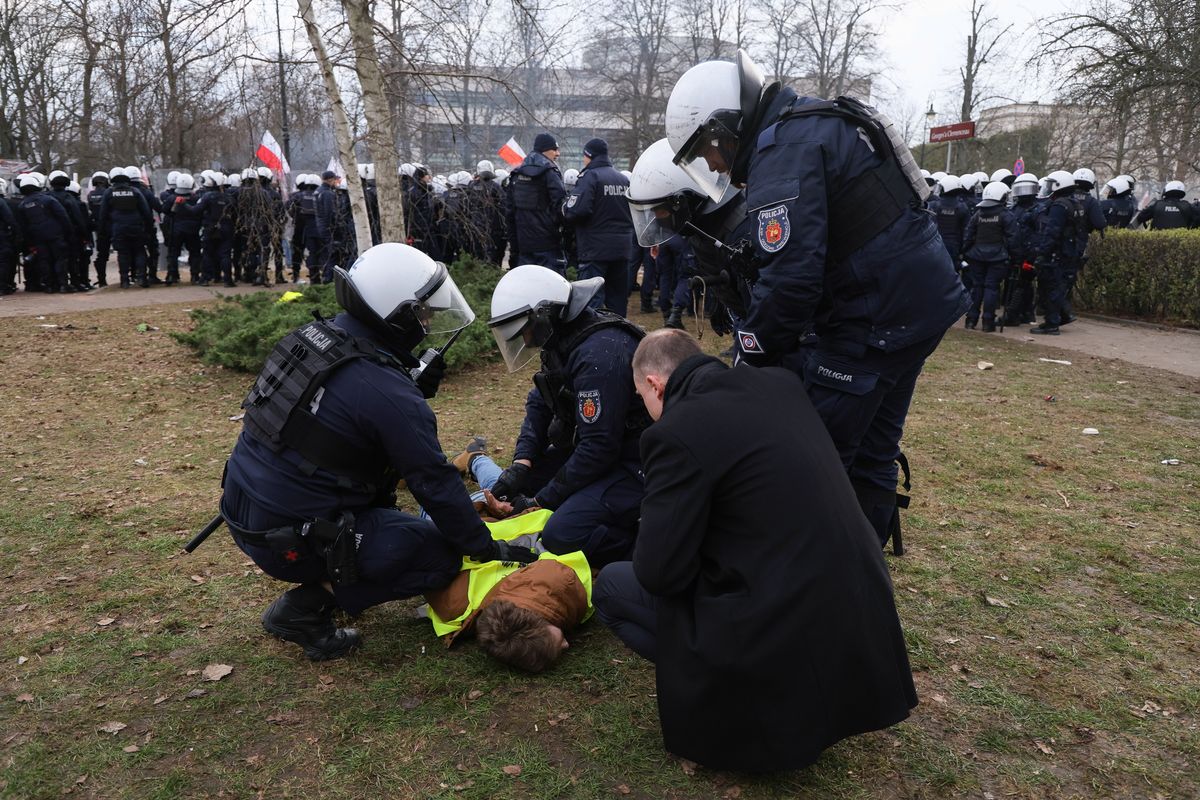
x: 241, y: 333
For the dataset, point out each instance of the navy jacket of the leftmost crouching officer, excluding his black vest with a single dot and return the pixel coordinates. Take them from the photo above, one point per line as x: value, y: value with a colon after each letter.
x: 376, y: 410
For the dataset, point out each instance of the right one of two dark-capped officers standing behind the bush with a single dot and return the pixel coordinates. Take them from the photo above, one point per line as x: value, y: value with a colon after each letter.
x: 599, y: 213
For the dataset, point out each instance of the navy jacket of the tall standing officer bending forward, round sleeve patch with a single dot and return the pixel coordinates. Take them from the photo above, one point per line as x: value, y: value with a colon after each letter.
x: 898, y: 290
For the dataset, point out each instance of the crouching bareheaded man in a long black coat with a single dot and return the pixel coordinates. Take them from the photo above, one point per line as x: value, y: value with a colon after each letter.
x: 761, y: 594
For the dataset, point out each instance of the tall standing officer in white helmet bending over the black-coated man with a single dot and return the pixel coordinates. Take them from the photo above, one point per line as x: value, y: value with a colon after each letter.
x: 855, y: 287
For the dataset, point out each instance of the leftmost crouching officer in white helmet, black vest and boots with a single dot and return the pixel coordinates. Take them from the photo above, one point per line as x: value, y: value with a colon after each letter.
x: 333, y: 423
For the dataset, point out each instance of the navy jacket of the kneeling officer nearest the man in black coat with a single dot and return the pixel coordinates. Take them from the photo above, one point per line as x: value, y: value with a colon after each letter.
x: 601, y: 378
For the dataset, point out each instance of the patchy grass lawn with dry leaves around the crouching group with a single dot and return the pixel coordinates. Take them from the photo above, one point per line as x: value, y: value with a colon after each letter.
x: 1049, y: 598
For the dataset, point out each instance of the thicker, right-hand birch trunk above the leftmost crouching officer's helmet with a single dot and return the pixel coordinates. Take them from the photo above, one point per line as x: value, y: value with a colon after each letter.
x: 381, y: 133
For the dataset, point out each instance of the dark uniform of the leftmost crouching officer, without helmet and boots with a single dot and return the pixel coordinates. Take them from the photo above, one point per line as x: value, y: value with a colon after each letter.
x: 368, y: 428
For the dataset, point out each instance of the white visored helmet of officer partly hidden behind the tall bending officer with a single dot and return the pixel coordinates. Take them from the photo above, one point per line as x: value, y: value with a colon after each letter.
x: 663, y: 199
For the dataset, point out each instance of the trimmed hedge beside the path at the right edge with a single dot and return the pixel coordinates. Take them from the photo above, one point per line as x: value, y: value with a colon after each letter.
x: 1151, y: 275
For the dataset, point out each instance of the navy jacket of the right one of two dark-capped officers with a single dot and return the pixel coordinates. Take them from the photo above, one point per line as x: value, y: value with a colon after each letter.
x: 599, y: 210
